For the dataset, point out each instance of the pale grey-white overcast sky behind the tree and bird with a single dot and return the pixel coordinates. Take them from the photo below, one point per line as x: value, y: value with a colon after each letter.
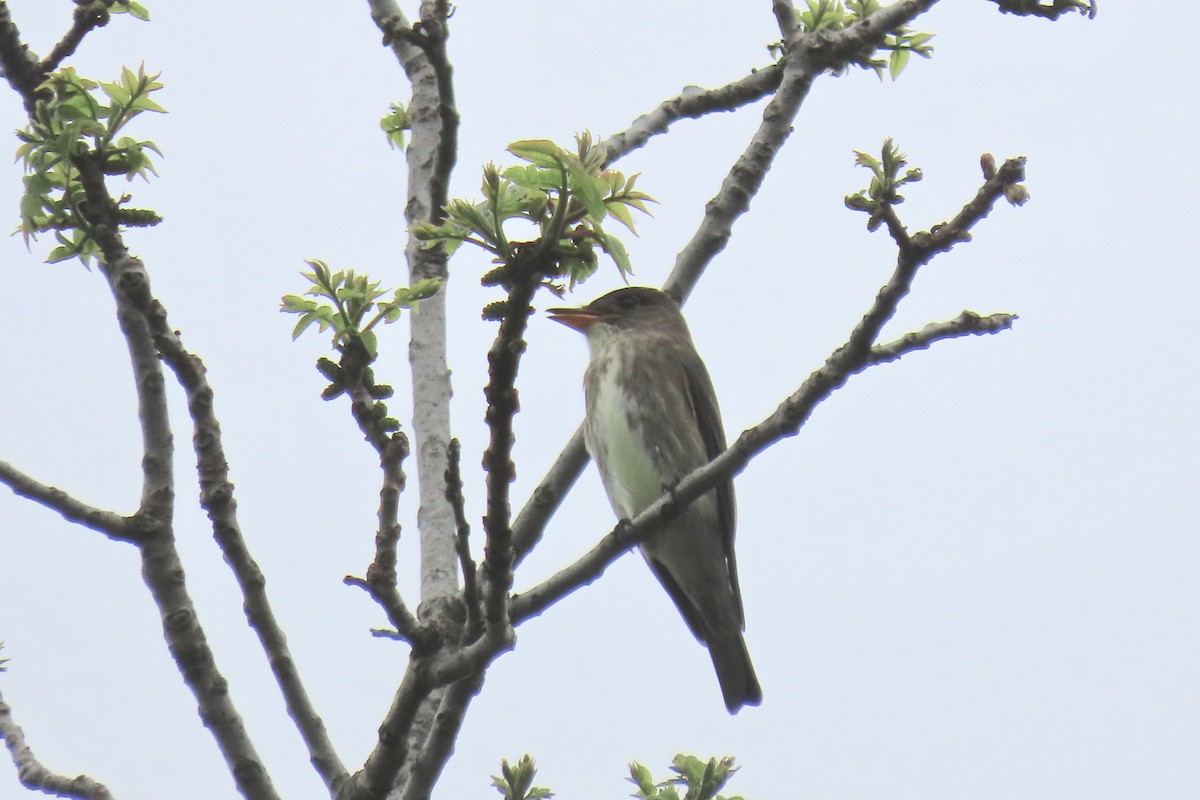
x: 973, y: 575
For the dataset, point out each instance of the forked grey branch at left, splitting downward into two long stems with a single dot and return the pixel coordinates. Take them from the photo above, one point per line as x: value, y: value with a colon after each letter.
x: 149, y: 335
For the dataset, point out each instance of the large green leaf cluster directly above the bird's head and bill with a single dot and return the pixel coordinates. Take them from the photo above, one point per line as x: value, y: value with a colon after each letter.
x: 565, y: 196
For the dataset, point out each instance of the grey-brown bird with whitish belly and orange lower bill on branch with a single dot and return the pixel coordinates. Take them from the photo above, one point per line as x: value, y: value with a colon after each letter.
x: 652, y: 419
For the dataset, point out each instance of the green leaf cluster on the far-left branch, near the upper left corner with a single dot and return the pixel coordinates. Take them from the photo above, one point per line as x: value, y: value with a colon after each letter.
x: 79, y: 119
